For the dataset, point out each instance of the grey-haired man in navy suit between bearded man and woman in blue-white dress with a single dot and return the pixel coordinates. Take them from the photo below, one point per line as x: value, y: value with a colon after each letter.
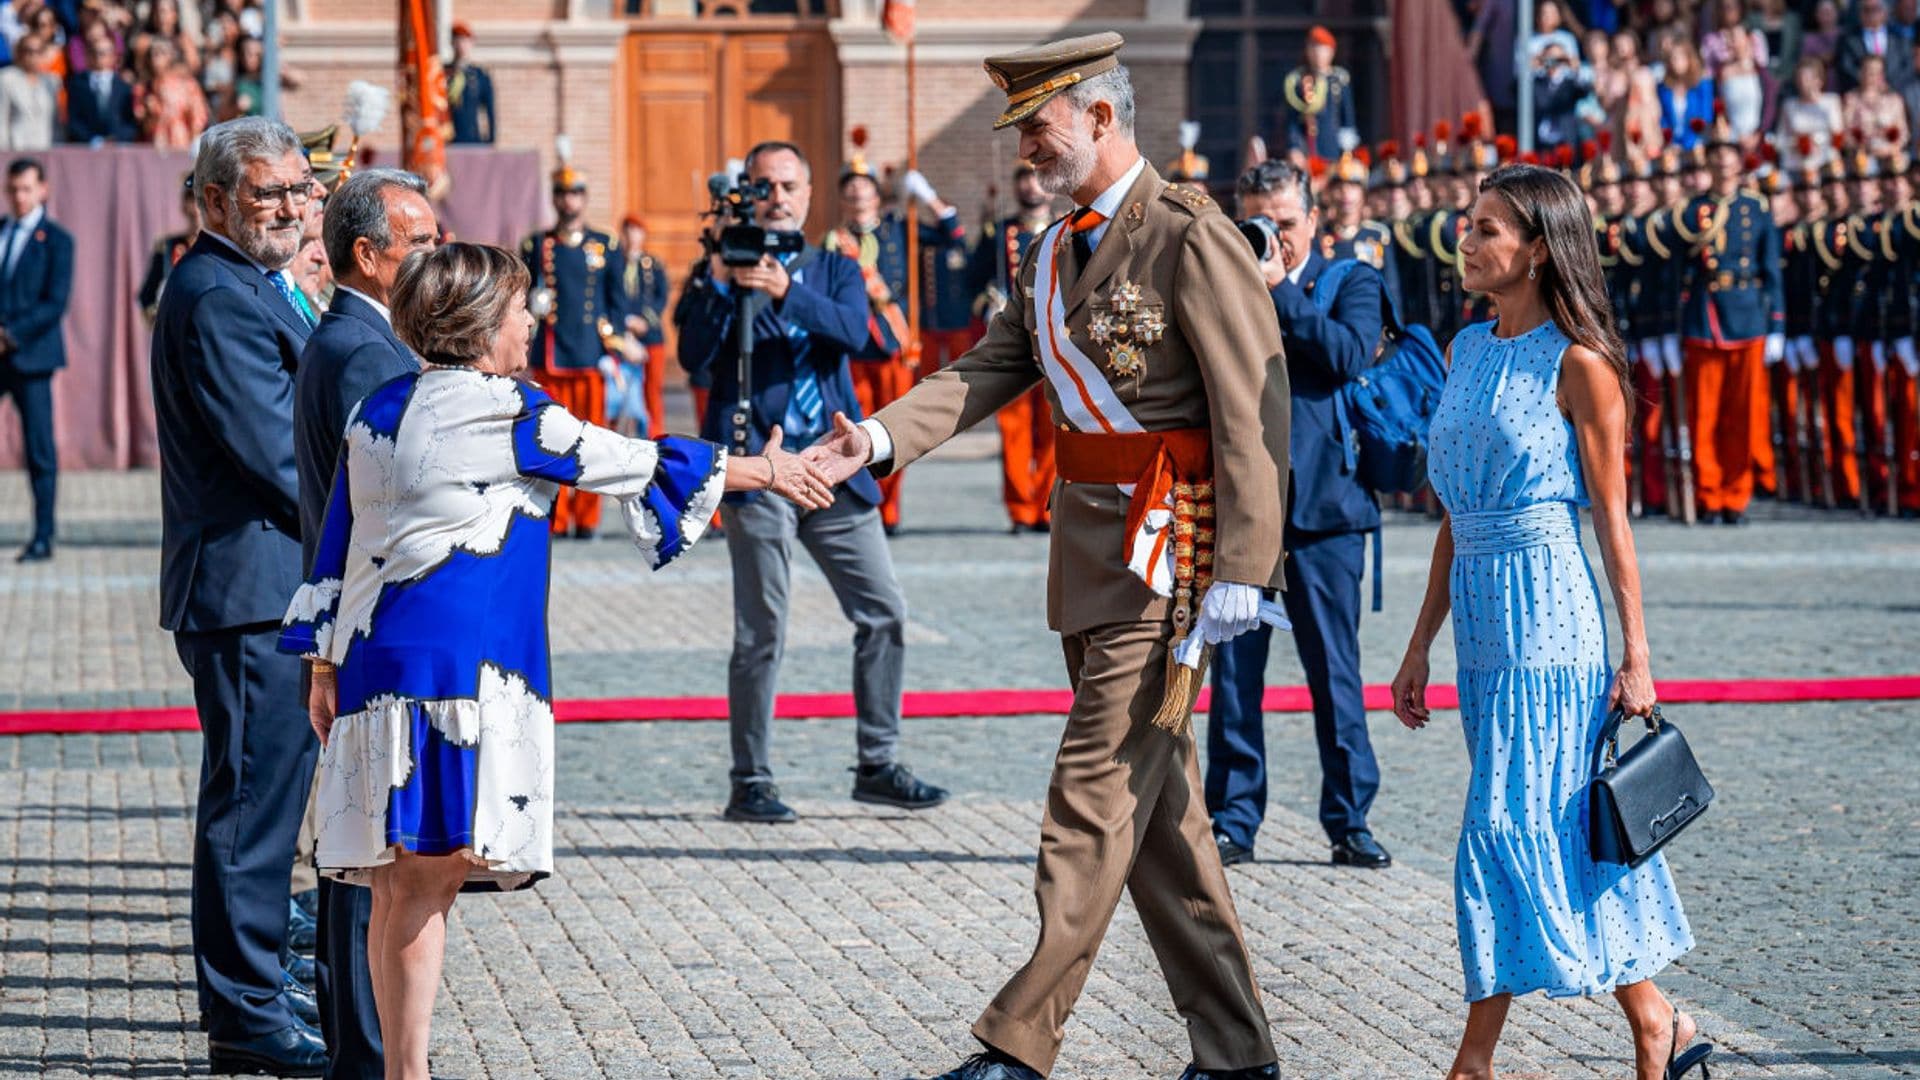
x: 373, y: 224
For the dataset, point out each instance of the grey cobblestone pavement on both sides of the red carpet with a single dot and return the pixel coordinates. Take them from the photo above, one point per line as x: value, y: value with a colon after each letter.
x: 863, y: 945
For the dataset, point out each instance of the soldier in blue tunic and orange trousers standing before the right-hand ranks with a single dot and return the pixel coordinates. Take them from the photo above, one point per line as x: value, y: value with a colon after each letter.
x: 1733, y: 320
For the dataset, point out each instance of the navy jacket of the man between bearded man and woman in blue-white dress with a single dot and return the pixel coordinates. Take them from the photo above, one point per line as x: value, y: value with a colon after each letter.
x: 350, y: 355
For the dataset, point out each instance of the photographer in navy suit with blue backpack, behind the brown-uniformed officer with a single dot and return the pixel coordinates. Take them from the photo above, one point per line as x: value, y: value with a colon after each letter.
x: 1328, y: 524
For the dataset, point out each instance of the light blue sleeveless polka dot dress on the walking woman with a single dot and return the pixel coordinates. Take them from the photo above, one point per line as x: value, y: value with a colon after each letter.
x: 1535, y: 910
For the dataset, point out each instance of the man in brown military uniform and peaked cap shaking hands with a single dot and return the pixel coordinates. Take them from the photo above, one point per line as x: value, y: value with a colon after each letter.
x: 1145, y: 318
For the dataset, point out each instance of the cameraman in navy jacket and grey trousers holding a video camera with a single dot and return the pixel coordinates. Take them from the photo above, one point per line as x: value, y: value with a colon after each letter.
x: 809, y: 312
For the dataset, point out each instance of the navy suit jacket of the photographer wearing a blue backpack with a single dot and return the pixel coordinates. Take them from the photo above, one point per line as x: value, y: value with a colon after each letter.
x: 1324, y: 355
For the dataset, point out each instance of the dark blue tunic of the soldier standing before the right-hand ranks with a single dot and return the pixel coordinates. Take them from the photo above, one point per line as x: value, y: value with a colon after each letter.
x: 1731, y: 293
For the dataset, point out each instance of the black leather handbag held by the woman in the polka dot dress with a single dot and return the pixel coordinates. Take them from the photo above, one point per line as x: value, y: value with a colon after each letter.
x: 1646, y: 797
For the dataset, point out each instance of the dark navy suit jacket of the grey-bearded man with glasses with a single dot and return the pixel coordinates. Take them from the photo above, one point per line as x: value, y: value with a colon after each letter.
x: 224, y: 358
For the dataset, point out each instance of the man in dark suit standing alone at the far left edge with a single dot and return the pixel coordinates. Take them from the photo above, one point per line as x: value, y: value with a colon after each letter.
x: 36, y: 278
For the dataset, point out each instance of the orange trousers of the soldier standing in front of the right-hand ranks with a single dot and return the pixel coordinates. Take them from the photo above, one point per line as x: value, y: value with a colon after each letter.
x: 1727, y: 399
